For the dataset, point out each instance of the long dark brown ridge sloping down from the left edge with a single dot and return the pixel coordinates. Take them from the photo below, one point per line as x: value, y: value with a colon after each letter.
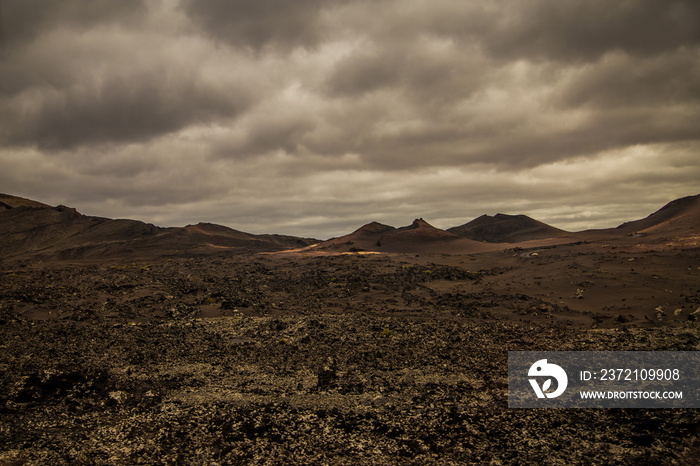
x: 29, y: 229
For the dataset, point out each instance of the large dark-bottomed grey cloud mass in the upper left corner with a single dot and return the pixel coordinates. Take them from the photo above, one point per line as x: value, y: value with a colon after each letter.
x: 69, y: 78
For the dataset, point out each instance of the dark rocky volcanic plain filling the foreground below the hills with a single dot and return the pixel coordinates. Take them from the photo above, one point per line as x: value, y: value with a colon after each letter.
x: 322, y: 356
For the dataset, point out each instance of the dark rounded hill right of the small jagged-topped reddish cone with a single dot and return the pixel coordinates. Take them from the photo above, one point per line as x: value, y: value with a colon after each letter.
x: 503, y: 228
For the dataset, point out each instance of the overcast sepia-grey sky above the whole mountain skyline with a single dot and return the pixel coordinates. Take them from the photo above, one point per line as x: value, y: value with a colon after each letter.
x: 312, y: 117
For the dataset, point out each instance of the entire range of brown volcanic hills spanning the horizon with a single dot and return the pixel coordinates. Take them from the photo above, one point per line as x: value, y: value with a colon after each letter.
x: 37, y: 231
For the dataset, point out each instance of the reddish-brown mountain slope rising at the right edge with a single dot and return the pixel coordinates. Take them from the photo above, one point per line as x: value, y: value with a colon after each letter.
x: 681, y: 214
